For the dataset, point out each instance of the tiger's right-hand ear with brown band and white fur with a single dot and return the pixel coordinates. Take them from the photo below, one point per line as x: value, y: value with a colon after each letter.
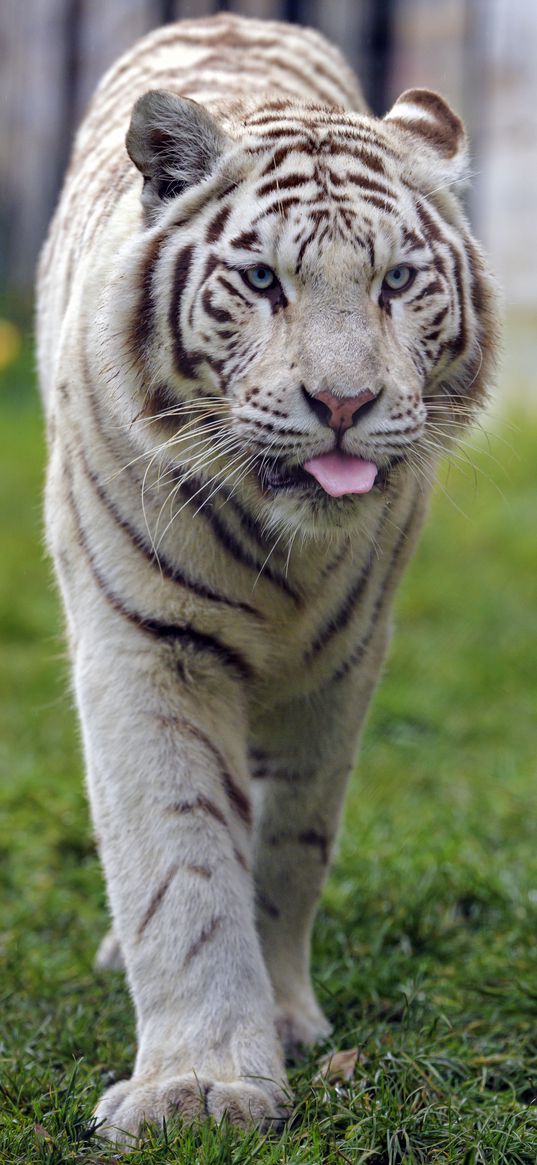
x: 442, y: 153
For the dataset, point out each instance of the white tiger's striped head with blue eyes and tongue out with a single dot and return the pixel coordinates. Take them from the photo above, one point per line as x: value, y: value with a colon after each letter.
x: 314, y: 320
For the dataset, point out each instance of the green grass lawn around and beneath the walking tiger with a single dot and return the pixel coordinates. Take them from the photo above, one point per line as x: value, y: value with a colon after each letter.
x: 426, y: 952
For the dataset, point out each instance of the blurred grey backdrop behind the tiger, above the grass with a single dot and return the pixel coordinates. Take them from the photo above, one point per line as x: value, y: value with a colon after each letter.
x: 481, y: 54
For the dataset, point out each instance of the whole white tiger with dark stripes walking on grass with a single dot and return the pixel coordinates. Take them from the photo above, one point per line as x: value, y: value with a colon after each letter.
x: 263, y: 319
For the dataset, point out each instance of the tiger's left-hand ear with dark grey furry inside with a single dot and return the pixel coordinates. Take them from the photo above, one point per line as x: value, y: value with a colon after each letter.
x: 175, y: 144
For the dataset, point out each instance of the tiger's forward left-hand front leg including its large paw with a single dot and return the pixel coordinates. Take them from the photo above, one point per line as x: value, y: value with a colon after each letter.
x: 169, y: 794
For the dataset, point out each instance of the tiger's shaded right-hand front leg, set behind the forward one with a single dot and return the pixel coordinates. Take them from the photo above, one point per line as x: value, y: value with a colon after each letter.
x: 300, y: 780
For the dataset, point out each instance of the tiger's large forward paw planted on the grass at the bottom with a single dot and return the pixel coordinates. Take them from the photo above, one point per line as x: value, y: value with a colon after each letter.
x: 129, y: 1106
